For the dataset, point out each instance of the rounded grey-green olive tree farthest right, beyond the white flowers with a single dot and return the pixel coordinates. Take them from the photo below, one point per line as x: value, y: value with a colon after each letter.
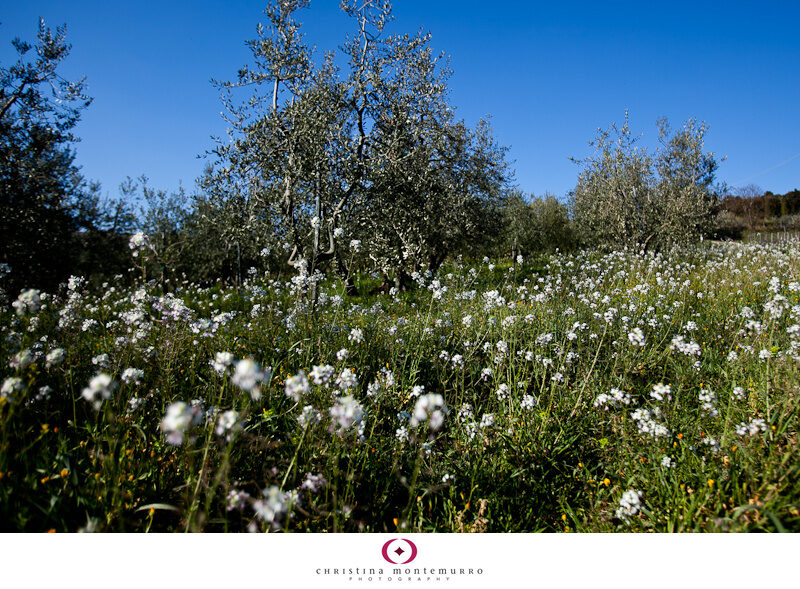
x: 626, y: 197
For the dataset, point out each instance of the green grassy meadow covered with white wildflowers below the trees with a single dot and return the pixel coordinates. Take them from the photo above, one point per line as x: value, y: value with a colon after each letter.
x: 584, y: 392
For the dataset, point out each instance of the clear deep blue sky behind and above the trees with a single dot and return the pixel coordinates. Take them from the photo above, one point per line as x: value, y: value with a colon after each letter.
x: 549, y: 73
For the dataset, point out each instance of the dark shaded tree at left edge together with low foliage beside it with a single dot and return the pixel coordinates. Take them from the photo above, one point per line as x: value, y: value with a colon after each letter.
x: 52, y: 222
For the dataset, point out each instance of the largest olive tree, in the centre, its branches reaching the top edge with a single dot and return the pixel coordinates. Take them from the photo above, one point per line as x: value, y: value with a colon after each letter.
x: 368, y: 151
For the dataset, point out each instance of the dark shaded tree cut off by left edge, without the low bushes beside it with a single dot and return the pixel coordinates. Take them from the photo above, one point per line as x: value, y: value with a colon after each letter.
x: 39, y: 182
